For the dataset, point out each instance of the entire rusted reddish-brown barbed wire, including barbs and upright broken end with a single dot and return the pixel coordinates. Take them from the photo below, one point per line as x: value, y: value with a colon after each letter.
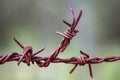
x: 29, y: 56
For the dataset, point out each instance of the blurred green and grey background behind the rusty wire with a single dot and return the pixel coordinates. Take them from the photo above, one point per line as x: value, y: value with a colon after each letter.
x: 34, y: 22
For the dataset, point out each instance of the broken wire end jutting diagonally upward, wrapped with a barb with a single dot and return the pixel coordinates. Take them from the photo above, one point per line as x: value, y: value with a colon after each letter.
x: 67, y: 36
